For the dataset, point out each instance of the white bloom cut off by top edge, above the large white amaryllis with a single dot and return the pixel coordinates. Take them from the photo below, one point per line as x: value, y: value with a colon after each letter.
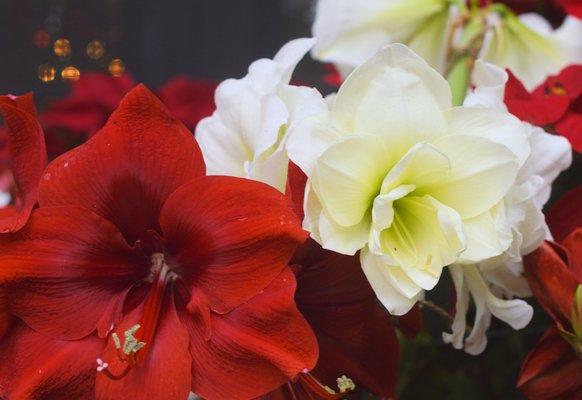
x: 351, y: 31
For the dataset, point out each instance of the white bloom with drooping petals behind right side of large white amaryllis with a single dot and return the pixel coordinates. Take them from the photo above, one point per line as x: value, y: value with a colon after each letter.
x: 494, y: 282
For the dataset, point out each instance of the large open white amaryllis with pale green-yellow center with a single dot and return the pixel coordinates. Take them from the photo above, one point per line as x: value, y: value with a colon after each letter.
x: 397, y: 172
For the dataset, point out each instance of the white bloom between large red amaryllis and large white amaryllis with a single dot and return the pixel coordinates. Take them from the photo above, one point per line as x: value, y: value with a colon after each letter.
x: 246, y: 135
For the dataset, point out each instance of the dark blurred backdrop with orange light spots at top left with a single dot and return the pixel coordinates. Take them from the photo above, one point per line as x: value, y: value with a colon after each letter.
x: 153, y: 39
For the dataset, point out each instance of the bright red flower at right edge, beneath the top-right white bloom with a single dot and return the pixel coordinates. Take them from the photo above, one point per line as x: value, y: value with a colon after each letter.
x: 555, y: 104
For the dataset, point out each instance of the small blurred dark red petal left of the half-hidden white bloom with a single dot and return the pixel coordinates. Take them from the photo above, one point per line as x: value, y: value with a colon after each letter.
x: 188, y: 99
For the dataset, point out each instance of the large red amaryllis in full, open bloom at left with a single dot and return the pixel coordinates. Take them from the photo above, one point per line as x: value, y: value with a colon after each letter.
x: 163, y: 279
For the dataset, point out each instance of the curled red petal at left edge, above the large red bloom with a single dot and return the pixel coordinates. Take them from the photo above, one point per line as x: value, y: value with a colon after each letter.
x: 27, y: 158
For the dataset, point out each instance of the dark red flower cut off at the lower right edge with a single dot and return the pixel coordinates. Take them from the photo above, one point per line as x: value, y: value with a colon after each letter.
x: 553, y: 370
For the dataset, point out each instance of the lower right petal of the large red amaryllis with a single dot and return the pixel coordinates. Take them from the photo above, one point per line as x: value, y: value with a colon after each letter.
x: 253, y: 349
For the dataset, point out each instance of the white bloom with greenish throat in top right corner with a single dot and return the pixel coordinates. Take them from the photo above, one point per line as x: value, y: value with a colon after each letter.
x: 530, y: 47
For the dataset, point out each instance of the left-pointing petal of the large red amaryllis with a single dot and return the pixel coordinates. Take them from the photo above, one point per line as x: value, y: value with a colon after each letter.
x: 67, y: 272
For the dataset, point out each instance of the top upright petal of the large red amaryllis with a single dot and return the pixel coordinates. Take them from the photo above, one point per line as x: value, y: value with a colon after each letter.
x: 126, y: 171
